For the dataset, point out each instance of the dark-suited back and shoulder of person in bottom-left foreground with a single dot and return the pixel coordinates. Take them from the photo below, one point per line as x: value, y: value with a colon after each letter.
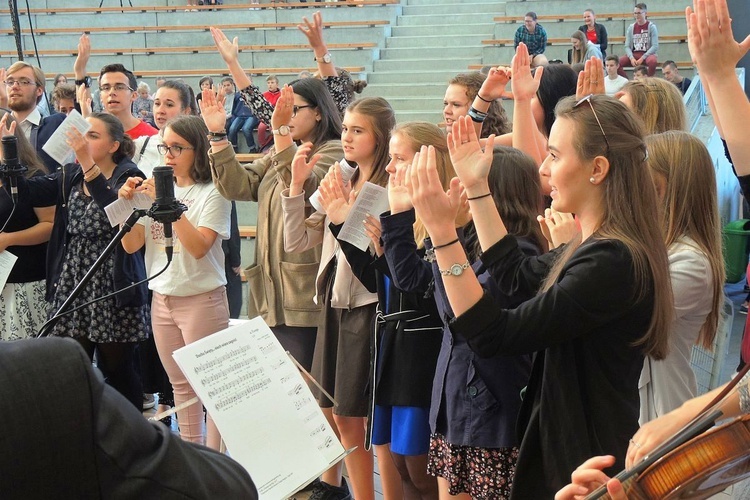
x: 73, y: 436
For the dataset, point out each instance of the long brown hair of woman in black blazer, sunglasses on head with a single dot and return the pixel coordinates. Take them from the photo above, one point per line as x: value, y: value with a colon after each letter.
x: 629, y: 201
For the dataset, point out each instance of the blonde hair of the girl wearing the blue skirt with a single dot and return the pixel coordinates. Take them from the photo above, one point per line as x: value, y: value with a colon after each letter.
x: 420, y: 134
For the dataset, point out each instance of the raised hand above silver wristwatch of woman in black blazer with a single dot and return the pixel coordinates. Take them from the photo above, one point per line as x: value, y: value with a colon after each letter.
x: 436, y: 208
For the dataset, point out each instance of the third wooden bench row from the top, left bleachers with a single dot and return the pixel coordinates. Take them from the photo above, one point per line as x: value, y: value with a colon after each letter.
x: 182, y: 49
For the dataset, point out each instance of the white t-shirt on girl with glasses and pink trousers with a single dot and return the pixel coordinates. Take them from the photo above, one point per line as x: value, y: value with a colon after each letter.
x: 187, y: 276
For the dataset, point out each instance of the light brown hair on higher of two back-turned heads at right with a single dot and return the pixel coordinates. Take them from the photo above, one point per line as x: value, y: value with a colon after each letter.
x: 659, y: 104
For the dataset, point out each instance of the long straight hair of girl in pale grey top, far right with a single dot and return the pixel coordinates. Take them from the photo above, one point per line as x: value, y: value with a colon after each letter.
x: 690, y: 208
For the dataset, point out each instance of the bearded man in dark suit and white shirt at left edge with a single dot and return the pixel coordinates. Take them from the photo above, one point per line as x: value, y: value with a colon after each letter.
x: 21, y: 91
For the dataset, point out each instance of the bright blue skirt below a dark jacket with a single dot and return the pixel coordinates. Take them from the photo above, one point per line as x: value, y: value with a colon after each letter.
x: 406, y: 428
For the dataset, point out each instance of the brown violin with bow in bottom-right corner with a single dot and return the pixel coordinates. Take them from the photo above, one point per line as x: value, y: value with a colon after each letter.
x: 698, y: 462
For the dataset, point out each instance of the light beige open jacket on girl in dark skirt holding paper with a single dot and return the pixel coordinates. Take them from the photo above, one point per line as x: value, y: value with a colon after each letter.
x: 300, y: 234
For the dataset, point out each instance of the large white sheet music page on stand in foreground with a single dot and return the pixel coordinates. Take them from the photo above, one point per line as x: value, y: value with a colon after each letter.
x: 263, y: 408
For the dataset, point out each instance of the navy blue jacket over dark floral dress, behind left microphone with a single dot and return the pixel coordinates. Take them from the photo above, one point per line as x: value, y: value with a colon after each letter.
x: 128, y: 268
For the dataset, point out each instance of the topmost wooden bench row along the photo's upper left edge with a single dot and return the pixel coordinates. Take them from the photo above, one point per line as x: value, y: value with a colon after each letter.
x: 177, y: 8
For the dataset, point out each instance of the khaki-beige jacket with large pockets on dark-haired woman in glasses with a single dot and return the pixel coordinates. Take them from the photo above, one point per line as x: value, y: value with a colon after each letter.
x: 281, y: 283
